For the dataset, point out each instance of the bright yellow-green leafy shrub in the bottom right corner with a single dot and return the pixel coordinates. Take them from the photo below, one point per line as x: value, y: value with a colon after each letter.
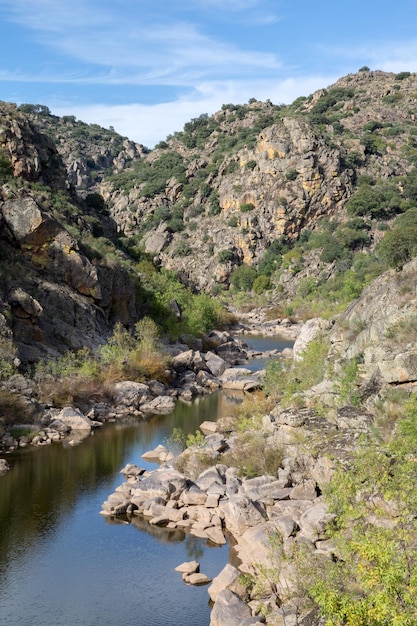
x: 373, y: 580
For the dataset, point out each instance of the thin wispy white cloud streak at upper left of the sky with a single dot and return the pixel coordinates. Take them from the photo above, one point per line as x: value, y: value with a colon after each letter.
x: 167, y: 51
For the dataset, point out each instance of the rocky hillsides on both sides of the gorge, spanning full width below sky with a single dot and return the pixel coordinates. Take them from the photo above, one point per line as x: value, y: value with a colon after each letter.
x: 305, y: 202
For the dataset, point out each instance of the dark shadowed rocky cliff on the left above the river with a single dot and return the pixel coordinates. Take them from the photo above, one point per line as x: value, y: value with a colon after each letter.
x: 56, y: 293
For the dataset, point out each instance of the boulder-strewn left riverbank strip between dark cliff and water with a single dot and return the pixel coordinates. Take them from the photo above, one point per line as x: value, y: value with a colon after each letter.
x: 192, y: 372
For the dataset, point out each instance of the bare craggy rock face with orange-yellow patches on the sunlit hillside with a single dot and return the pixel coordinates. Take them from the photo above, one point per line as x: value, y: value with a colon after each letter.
x: 279, y: 206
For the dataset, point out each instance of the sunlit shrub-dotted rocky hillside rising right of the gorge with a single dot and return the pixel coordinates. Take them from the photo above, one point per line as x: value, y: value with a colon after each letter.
x: 229, y: 187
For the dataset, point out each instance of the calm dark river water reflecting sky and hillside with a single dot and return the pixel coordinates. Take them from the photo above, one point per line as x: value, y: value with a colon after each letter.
x: 62, y: 563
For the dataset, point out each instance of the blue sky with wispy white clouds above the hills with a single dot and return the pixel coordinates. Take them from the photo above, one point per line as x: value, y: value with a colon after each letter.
x: 148, y: 66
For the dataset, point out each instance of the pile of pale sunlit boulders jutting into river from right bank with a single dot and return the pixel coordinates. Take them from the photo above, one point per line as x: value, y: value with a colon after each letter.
x: 218, y: 503
